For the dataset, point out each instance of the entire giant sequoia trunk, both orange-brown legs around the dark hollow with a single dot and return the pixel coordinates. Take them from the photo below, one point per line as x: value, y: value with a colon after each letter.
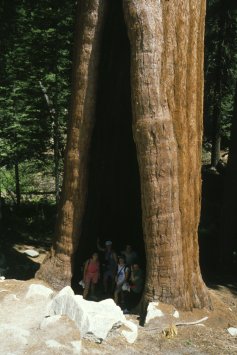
x: 166, y: 40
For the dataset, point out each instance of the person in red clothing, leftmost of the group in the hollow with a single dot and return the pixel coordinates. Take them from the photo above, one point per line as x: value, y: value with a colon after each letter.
x: 91, y: 274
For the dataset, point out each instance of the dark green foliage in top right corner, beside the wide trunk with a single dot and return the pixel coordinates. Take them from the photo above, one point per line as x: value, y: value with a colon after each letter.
x: 220, y: 65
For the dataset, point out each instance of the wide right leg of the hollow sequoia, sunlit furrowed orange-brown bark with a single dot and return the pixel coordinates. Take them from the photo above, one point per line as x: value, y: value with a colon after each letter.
x: 167, y: 92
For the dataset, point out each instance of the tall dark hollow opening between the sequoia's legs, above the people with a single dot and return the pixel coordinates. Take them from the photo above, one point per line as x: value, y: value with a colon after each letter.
x: 113, y: 210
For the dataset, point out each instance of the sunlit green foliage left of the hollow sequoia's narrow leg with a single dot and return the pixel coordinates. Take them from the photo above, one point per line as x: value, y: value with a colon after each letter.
x: 36, y: 51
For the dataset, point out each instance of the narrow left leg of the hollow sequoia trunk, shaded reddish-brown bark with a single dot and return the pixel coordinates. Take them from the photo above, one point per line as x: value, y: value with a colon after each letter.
x: 57, y: 268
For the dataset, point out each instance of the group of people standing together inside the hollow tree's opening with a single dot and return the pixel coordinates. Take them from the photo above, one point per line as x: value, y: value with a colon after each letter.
x: 122, y: 276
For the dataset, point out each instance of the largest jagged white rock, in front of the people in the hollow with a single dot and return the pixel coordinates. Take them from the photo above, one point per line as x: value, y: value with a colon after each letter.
x: 94, y: 319
